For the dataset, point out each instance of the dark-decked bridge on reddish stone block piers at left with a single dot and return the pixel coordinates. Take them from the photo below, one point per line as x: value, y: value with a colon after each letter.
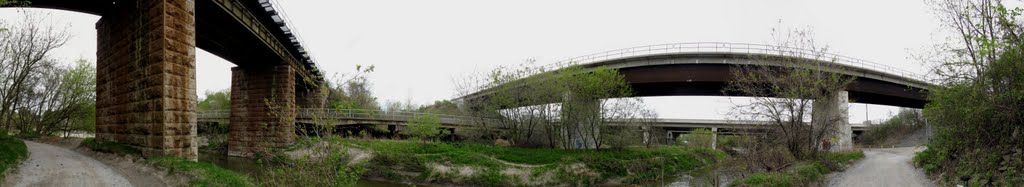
x: 146, y: 76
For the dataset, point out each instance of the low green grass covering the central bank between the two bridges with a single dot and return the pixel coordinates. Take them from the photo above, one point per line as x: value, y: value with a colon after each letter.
x: 634, y: 165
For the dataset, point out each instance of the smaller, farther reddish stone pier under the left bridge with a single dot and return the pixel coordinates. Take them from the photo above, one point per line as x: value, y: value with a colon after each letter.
x: 263, y: 110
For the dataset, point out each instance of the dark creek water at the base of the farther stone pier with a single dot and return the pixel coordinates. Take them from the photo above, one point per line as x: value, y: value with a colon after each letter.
x: 251, y: 168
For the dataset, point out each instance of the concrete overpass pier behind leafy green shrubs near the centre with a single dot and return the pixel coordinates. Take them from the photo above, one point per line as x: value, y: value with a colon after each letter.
x: 579, y: 118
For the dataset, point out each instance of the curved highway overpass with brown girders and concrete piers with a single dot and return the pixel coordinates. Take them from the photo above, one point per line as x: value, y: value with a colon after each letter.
x: 705, y: 69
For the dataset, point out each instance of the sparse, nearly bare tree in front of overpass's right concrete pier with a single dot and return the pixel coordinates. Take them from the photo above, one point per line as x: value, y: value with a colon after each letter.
x: 783, y: 96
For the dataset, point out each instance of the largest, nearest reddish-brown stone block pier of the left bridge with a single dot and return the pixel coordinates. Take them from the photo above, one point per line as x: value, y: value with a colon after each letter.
x: 146, y: 77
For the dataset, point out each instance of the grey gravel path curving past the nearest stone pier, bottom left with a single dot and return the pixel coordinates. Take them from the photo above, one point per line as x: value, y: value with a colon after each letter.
x: 53, y: 166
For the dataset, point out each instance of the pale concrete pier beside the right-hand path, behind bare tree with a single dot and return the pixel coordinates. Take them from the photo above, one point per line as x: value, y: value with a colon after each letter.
x: 832, y: 112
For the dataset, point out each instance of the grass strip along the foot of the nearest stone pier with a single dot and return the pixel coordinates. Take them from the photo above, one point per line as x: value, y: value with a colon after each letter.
x: 200, y: 174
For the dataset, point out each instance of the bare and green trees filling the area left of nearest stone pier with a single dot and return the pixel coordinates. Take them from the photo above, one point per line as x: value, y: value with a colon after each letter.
x: 39, y: 97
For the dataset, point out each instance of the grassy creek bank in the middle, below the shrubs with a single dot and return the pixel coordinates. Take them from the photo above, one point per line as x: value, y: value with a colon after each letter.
x: 496, y: 166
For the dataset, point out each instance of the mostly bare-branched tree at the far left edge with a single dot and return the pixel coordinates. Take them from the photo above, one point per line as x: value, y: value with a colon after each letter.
x: 26, y: 71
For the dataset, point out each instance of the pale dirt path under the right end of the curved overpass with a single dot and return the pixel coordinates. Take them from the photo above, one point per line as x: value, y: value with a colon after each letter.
x: 886, y: 167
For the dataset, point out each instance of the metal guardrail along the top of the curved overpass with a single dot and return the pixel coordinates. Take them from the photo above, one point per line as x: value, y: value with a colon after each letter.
x: 723, y: 48
